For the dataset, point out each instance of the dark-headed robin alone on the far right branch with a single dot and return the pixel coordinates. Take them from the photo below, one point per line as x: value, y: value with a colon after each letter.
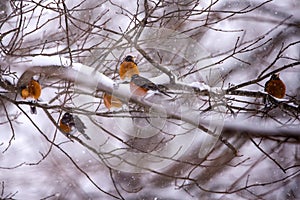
x: 275, y: 86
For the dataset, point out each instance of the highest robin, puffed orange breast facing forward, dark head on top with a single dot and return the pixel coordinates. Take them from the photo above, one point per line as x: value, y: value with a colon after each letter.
x: 128, y: 68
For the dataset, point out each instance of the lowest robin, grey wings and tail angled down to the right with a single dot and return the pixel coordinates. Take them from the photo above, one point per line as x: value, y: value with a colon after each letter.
x: 69, y: 124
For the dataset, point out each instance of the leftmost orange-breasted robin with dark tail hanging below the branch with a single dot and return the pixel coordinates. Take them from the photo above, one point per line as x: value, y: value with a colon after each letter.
x: 32, y: 90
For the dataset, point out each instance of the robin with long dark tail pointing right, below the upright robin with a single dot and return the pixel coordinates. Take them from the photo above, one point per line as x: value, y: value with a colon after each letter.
x: 140, y: 86
